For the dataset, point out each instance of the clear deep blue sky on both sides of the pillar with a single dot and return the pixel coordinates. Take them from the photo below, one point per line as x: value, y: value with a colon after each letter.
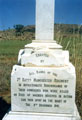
x: 14, y: 12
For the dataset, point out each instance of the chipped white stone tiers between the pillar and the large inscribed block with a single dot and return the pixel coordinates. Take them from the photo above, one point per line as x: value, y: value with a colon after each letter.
x: 43, y: 54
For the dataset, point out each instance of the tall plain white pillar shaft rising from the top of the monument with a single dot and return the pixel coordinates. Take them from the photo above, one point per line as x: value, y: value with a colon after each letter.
x: 45, y: 20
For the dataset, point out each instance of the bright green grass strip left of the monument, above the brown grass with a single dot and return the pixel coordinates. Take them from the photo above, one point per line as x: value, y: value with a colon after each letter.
x: 11, y: 47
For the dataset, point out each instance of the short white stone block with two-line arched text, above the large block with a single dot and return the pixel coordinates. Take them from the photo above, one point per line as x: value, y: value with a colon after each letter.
x: 46, y: 57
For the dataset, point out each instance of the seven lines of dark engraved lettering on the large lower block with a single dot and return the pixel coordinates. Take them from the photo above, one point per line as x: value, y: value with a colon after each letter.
x: 42, y: 89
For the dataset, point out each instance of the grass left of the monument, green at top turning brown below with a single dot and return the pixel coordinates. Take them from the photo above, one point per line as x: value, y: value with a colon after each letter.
x: 8, y: 57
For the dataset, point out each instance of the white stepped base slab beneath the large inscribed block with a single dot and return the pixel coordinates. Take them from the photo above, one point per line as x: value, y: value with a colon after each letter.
x: 40, y: 116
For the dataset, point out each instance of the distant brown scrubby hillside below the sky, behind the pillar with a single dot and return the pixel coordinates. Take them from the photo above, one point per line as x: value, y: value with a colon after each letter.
x: 28, y: 32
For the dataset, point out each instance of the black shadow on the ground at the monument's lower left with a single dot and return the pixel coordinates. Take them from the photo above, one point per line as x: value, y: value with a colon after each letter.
x: 4, y: 106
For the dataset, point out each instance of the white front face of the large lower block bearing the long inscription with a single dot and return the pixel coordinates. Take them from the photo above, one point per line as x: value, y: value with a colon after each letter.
x: 41, y: 88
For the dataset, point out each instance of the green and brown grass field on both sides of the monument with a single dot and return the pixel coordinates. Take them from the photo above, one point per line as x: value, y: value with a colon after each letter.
x: 8, y: 57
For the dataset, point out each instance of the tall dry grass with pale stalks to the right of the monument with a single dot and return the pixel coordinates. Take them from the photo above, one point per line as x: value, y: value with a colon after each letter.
x: 74, y: 45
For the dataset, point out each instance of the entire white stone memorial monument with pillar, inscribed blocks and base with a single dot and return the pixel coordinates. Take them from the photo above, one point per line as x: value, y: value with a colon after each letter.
x: 43, y: 83
